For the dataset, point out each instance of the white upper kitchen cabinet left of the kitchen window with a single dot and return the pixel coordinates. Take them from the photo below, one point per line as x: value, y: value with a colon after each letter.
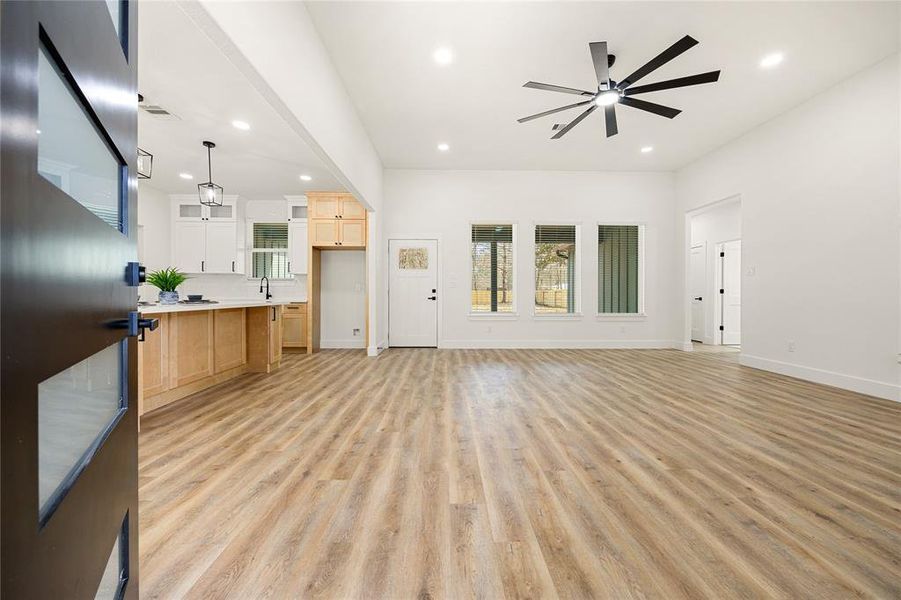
x: 205, y: 238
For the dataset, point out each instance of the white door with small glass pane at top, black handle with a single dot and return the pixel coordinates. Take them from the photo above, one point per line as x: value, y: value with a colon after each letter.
x: 413, y: 293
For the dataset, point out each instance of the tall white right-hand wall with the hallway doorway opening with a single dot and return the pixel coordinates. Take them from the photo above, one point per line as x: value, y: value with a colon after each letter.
x: 820, y: 220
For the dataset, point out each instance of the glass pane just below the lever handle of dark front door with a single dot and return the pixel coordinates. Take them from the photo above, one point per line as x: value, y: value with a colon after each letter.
x: 76, y: 409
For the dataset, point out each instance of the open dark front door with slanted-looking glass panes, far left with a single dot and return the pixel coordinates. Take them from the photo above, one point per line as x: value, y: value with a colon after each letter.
x: 68, y: 230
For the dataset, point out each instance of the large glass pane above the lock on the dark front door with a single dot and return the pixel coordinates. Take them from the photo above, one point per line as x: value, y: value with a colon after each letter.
x: 72, y: 155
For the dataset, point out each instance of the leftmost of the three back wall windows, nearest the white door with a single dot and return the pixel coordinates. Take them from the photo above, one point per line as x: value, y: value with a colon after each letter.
x: 492, y: 268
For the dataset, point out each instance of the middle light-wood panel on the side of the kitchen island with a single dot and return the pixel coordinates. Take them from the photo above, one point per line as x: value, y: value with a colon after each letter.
x: 191, y: 346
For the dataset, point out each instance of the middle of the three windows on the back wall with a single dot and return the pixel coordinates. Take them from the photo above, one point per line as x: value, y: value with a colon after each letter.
x: 555, y: 269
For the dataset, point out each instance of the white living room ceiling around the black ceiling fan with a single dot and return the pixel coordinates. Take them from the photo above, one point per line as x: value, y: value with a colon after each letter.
x: 383, y: 51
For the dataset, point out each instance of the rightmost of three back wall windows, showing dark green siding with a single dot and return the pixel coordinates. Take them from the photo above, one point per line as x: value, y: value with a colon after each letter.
x: 619, y: 253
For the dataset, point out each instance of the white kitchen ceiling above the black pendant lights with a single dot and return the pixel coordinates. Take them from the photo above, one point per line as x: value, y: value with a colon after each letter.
x: 181, y: 70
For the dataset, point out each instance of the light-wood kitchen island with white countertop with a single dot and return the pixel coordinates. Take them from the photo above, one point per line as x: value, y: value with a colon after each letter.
x: 199, y: 345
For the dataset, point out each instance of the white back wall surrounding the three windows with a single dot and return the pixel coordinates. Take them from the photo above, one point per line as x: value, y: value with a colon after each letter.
x: 441, y: 205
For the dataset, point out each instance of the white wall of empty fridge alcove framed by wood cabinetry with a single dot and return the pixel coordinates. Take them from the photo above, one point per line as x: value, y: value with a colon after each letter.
x: 343, y: 293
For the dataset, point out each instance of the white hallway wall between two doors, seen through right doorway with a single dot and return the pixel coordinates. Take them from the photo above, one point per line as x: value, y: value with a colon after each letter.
x: 711, y: 227
